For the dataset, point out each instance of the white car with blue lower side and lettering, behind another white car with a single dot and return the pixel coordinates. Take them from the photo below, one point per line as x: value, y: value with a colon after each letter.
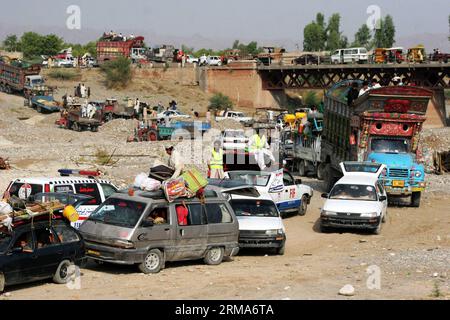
x: 289, y: 194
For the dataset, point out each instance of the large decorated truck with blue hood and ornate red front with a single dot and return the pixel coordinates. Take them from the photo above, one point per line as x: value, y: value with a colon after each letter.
x: 382, y: 126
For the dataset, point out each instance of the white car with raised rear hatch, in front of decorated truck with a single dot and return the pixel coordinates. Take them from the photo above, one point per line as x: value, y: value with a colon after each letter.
x: 357, y: 200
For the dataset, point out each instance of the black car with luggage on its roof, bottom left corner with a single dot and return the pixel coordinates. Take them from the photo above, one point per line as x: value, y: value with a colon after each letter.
x: 39, y: 250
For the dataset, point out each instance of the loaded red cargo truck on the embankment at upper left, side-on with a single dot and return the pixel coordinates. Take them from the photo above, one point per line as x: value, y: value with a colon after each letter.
x: 108, y: 50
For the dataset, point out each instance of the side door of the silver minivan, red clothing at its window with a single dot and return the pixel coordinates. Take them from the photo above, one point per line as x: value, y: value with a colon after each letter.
x: 191, y: 238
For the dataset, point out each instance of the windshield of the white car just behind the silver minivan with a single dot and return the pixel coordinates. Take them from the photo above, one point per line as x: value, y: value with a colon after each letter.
x: 256, y: 208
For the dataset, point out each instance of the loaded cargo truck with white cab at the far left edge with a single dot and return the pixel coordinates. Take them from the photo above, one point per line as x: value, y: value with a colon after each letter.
x: 18, y: 76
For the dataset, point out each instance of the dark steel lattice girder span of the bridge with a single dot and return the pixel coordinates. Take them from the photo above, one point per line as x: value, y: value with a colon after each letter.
x: 280, y: 77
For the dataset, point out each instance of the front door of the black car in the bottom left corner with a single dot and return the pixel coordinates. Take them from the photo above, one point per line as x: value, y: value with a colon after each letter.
x: 19, y: 265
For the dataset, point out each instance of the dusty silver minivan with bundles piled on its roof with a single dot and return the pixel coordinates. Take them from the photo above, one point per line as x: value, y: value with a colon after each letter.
x: 146, y: 230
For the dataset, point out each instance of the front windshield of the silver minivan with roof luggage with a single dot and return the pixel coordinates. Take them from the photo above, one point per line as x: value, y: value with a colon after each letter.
x: 118, y: 212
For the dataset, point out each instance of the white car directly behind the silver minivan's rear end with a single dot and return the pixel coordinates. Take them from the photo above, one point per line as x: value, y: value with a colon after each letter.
x: 260, y: 223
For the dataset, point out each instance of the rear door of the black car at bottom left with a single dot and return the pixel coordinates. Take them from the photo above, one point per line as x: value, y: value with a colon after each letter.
x: 49, y: 252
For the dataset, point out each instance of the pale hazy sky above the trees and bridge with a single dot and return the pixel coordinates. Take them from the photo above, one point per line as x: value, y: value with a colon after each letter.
x: 217, y: 19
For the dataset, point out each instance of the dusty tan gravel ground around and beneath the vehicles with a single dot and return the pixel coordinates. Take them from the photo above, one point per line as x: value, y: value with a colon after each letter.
x: 413, y: 251
